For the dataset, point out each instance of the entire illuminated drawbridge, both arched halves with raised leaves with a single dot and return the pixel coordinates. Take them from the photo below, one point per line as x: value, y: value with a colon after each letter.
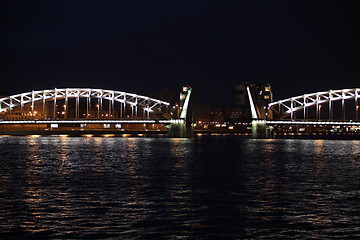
x: 87, y: 109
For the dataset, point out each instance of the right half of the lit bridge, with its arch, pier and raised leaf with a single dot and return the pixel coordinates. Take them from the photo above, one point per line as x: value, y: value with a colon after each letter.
x: 326, y: 108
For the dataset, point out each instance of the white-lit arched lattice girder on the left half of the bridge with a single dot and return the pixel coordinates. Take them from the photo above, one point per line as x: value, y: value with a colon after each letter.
x: 21, y: 99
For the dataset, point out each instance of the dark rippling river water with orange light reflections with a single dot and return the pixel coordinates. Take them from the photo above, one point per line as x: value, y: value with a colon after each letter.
x: 207, y: 187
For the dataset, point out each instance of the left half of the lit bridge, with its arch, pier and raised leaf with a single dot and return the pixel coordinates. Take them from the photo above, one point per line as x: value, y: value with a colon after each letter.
x: 90, y: 109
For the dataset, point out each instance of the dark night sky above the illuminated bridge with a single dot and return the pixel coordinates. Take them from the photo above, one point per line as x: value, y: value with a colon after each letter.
x: 145, y: 46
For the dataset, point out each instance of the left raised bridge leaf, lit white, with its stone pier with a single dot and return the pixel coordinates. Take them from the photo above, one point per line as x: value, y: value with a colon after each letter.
x: 183, y: 126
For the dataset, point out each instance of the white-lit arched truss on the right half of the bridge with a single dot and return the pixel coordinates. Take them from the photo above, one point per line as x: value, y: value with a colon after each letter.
x: 286, y: 107
